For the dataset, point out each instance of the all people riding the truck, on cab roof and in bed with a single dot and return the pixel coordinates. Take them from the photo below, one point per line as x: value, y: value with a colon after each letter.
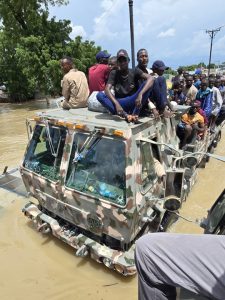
x: 129, y: 93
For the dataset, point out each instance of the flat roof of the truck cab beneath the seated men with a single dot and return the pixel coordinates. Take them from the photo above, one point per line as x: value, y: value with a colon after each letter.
x: 92, y: 119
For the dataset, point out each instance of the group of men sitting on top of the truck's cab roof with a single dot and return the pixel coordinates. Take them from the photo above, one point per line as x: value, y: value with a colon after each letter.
x: 121, y: 90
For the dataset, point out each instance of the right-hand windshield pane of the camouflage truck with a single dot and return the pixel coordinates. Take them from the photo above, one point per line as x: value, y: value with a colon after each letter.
x: 99, y: 169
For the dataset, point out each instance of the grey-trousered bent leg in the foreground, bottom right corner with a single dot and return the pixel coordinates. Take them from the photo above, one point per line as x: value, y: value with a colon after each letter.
x: 165, y: 261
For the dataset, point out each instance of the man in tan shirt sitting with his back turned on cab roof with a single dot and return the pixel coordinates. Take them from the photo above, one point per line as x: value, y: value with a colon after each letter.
x: 74, y: 86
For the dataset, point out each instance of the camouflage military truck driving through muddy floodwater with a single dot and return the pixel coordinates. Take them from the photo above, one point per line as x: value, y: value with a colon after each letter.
x: 101, y: 183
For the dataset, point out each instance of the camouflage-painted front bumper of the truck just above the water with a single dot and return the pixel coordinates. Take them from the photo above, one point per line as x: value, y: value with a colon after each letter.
x: 122, y: 262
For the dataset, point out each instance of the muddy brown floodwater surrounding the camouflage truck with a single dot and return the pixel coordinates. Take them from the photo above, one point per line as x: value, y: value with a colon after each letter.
x: 37, y: 267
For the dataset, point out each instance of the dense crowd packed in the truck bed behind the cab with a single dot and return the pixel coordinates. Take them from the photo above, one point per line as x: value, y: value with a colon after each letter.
x: 206, y: 98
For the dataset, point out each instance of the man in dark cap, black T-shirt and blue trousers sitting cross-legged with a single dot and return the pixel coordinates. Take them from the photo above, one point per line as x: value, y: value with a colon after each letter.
x: 128, y: 98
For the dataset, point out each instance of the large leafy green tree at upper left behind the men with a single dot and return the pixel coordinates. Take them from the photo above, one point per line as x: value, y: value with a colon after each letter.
x: 31, y: 46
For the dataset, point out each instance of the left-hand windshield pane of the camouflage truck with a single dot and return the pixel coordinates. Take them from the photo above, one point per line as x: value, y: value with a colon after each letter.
x: 45, y: 151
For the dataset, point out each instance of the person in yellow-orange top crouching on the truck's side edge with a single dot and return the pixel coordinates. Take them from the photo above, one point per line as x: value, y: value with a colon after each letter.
x: 192, y: 123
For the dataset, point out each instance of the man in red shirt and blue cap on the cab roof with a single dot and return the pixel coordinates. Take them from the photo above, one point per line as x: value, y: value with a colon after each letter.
x: 99, y: 73
